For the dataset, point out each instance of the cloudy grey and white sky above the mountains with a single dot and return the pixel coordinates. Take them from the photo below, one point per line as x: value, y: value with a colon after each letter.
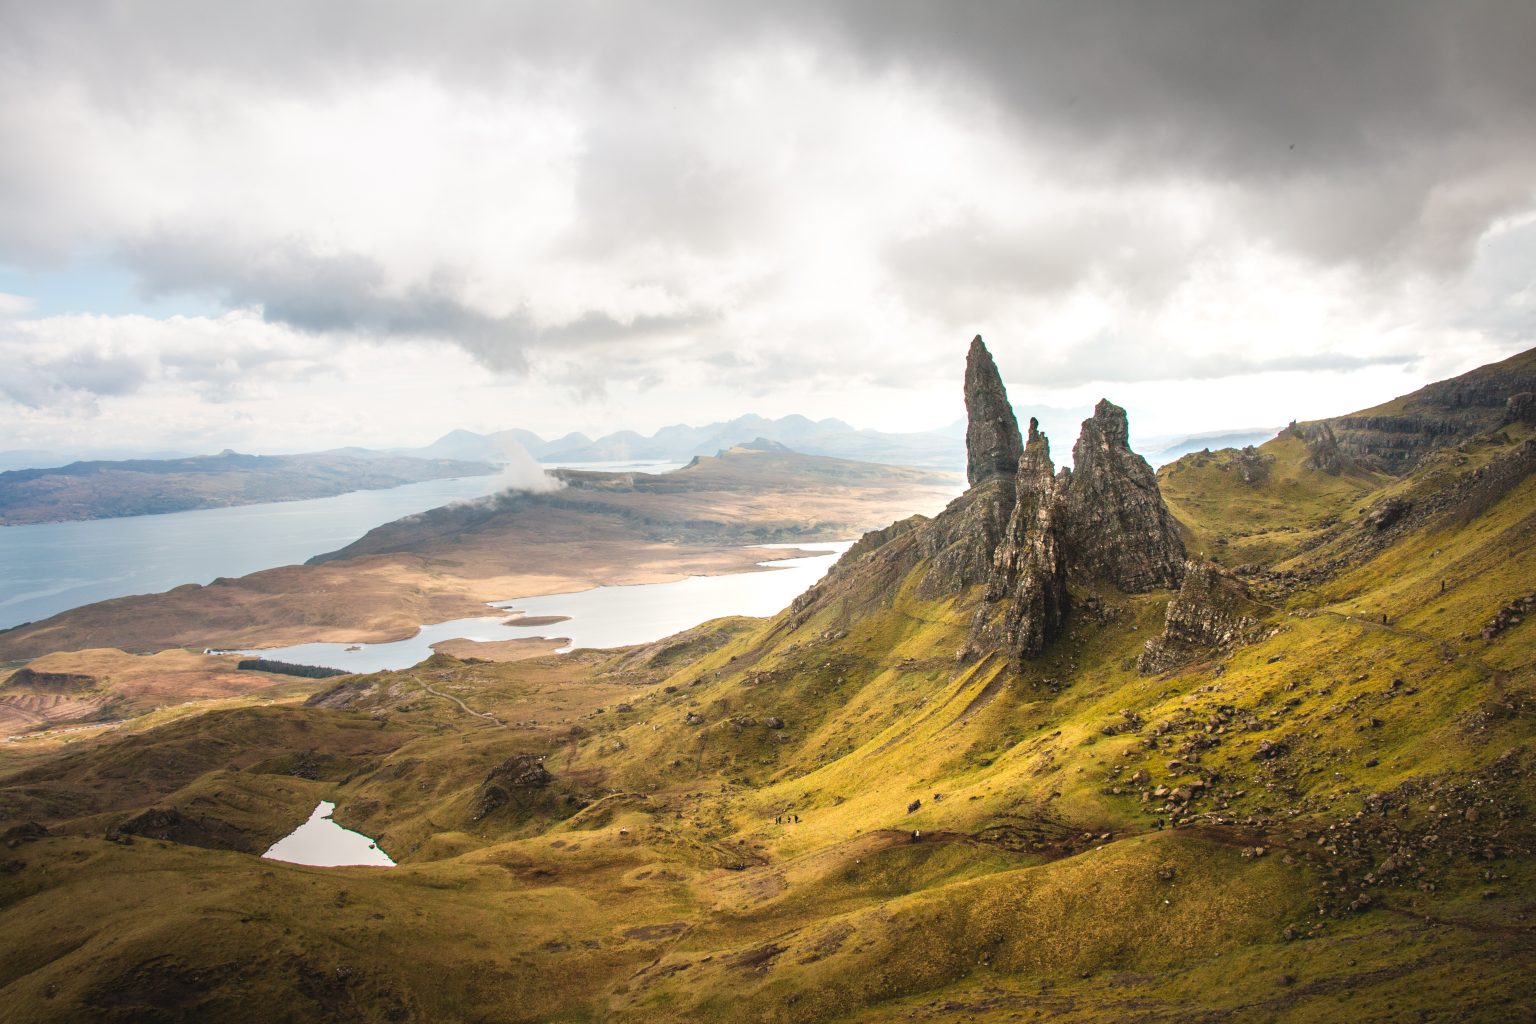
x: 290, y: 226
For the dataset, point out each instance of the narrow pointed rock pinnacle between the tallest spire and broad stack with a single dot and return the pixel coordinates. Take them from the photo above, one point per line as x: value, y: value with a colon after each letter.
x: 1028, y: 570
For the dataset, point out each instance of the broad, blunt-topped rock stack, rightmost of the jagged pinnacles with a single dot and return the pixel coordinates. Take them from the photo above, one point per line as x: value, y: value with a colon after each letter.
x: 1113, y: 515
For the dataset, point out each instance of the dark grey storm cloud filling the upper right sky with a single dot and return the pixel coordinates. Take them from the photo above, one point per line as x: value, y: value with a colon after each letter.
x: 1351, y: 133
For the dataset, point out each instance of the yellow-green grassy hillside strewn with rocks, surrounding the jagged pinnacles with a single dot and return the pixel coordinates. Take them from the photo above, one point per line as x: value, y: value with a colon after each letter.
x: 829, y: 816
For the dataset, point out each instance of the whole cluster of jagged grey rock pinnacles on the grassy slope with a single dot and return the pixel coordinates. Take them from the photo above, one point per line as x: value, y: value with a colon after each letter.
x: 1021, y: 535
